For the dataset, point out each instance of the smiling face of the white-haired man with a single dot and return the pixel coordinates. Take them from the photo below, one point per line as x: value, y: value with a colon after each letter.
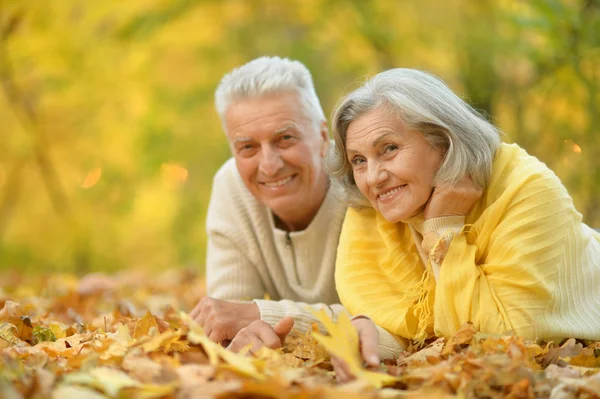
x: 279, y: 151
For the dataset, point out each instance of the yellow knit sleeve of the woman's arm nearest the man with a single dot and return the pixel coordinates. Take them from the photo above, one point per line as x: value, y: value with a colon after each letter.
x: 376, y: 265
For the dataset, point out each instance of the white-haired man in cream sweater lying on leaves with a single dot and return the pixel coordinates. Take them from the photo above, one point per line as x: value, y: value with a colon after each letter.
x: 274, y: 218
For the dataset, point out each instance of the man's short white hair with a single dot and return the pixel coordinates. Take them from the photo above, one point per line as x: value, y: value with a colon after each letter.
x: 269, y: 75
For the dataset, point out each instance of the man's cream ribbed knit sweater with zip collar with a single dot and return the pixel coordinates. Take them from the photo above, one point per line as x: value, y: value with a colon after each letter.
x: 248, y: 257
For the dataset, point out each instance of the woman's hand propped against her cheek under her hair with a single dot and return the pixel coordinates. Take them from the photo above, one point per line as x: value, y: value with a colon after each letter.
x: 455, y: 200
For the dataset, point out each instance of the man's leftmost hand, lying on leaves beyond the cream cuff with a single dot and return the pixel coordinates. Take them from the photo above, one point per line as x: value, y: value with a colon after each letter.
x: 222, y: 320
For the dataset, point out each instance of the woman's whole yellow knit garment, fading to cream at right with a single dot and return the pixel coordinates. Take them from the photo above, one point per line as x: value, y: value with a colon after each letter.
x: 524, y: 264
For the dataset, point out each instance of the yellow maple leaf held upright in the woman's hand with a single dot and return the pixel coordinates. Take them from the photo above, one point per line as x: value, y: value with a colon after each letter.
x: 342, y: 342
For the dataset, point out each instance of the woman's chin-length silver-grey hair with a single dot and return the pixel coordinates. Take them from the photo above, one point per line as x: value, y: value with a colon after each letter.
x: 424, y: 103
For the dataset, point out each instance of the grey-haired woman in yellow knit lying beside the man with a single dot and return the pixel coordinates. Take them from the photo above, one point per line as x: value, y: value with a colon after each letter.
x: 448, y: 225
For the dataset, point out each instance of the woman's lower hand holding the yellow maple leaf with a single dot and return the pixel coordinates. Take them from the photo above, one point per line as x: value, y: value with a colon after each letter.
x: 368, y: 339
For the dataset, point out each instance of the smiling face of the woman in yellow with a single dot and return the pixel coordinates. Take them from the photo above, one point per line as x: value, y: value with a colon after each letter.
x: 393, y: 166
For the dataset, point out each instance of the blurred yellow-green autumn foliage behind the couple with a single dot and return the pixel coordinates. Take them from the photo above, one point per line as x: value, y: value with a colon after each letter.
x: 109, y: 139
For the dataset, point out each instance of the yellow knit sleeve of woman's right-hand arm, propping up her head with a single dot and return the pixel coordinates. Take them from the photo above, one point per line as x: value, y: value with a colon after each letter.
x: 502, y: 274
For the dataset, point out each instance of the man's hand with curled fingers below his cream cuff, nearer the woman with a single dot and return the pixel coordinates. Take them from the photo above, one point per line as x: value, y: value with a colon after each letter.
x: 260, y: 333
